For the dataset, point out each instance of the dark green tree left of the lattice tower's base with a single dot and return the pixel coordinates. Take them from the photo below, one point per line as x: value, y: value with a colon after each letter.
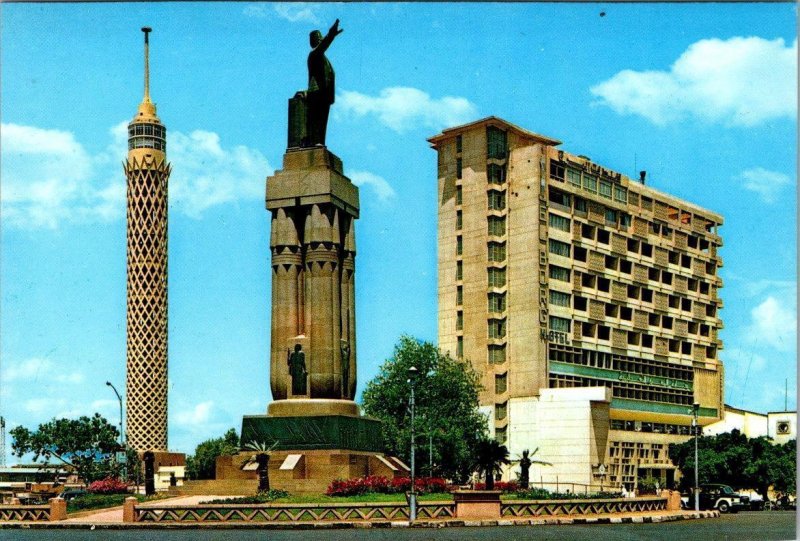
x: 85, y: 444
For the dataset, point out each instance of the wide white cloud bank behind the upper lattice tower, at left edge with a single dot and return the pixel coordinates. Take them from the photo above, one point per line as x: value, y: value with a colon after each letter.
x: 50, y: 179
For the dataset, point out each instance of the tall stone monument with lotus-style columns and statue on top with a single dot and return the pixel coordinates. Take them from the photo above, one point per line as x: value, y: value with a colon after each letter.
x: 313, y: 424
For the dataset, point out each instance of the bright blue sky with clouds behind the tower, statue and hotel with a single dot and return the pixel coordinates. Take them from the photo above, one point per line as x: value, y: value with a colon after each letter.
x: 701, y: 96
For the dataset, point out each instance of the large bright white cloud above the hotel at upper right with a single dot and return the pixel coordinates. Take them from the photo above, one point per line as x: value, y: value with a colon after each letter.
x: 740, y: 81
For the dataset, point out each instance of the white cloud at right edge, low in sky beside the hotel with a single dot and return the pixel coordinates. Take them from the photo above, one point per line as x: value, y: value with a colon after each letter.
x: 774, y: 323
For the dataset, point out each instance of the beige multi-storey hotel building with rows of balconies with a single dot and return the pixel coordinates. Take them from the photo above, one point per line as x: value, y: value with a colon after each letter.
x: 587, y: 301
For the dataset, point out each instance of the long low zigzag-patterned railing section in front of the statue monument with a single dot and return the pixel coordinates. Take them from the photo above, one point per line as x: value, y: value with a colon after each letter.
x: 287, y: 512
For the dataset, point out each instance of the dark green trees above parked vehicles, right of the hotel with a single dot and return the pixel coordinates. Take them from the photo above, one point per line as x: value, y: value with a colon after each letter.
x: 734, y: 459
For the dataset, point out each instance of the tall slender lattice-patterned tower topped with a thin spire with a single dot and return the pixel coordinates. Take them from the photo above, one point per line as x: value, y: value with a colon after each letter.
x: 147, y: 172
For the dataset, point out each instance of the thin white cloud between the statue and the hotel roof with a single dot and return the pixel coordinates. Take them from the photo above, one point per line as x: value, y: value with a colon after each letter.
x: 405, y: 108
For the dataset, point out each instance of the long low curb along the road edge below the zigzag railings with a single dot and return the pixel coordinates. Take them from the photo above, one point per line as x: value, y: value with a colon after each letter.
x: 447, y: 523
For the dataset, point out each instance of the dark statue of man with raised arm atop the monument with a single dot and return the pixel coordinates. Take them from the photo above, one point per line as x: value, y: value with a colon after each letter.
x: 321, y: 85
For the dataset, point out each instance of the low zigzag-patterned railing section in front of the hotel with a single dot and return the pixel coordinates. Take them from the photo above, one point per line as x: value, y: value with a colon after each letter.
x: 550, y: 508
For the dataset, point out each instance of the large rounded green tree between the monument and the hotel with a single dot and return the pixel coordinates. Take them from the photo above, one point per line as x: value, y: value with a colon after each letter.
x: 446, y: 396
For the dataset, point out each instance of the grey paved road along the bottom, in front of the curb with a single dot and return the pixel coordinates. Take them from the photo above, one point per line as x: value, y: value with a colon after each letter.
x: 748, y: 526
